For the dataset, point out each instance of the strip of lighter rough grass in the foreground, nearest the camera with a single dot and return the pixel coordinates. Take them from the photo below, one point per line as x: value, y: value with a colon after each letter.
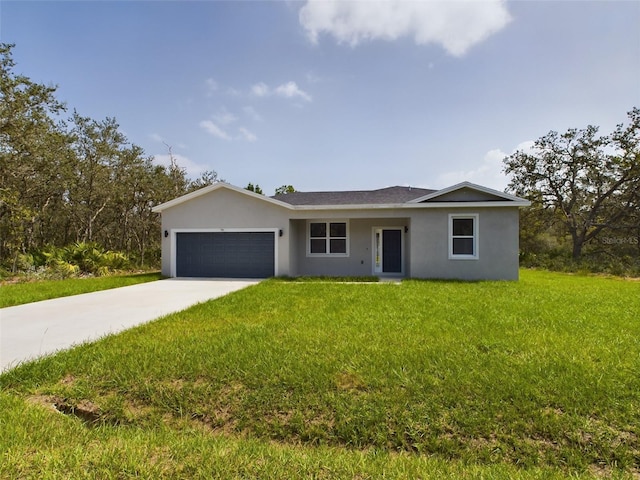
x: 39, y: 443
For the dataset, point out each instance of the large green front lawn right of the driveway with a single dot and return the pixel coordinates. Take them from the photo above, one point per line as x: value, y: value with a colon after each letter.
x: 532, y: 379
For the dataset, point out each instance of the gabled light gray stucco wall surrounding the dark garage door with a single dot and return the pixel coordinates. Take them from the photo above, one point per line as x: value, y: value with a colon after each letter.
x: 225, y: 209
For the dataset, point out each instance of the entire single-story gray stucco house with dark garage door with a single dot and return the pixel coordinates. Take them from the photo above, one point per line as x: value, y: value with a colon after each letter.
x: 465, y: 231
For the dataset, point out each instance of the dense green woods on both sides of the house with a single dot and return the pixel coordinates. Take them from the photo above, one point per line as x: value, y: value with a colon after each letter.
x: 67, y: 179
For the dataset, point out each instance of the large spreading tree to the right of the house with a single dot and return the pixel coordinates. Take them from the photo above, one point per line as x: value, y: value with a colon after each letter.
x: 589, y: 183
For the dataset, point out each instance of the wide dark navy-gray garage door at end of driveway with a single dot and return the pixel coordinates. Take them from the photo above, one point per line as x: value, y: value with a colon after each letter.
x: 225, y: 254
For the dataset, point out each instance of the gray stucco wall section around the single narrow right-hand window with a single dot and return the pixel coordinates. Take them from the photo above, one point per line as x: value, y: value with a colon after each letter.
x: 497, y: 245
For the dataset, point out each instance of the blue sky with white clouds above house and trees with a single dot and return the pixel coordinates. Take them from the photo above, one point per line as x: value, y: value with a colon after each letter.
x: 335, y: 95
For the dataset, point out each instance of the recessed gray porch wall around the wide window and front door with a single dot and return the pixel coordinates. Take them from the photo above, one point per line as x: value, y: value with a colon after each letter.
x: 360, y: 238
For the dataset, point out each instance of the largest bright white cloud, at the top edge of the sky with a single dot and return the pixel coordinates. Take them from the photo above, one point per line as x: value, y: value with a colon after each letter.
x: 455, y: 25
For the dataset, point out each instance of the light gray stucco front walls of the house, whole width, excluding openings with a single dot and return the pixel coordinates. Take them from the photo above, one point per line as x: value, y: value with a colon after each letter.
x: 425, y: 244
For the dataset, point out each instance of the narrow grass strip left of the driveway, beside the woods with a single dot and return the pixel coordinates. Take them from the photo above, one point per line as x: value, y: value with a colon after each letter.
x: 26, y: 292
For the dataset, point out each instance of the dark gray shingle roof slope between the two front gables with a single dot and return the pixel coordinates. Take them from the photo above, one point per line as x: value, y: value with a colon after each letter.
x: 383, y: 196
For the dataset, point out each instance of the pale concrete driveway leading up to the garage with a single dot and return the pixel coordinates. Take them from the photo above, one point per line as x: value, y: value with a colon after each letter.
x: 40, y: 328
